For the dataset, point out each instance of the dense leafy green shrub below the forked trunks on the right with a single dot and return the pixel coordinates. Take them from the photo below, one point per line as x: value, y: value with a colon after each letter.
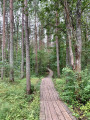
x: 74, y: 88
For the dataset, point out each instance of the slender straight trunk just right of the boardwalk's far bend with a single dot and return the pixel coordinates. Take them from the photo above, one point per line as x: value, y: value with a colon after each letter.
x: 57, y: 47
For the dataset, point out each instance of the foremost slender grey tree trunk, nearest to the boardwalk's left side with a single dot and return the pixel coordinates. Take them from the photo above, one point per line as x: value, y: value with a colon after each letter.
x: 28, y: 84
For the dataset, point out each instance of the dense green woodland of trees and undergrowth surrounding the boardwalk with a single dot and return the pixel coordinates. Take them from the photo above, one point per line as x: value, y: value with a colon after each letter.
x: 40, y: 34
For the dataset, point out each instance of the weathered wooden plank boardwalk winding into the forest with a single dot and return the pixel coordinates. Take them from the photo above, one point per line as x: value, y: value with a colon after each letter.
x: 51, y: 107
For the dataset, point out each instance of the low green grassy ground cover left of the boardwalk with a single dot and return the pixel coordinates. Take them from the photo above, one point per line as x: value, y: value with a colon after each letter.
x: 15, y: 104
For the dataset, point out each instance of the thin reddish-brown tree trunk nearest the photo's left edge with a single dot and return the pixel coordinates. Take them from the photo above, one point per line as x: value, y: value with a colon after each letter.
x: 3, y: 40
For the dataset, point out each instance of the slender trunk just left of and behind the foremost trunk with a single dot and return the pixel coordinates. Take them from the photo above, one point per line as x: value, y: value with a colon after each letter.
x: 22, y: 42
